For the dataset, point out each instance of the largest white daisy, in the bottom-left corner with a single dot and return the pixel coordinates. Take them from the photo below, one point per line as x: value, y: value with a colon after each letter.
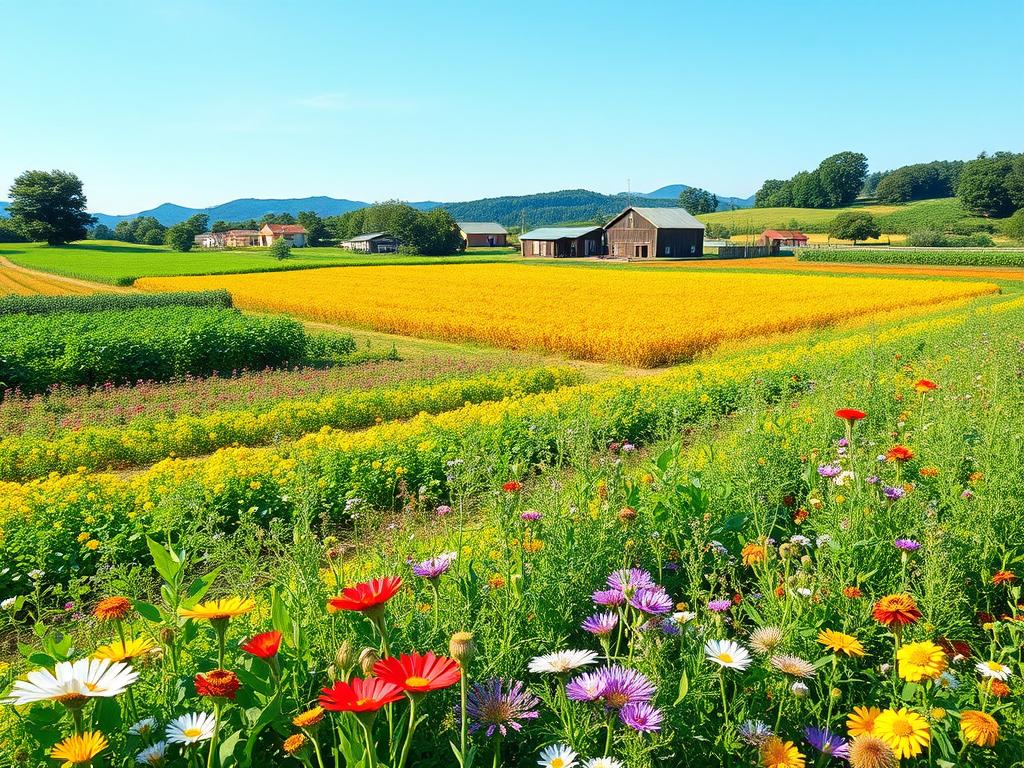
x: 86, y: 678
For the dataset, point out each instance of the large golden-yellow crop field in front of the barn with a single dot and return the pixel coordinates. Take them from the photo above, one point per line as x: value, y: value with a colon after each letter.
x: 637, y: 318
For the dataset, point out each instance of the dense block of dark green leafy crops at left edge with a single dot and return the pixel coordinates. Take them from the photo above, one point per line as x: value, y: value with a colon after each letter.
x: 154, y: 345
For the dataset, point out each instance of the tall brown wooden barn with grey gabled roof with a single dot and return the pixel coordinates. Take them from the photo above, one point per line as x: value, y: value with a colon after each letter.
x: 650, y: 233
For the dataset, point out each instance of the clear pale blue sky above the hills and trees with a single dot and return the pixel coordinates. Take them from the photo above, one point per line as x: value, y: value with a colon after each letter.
x: 200, y: 103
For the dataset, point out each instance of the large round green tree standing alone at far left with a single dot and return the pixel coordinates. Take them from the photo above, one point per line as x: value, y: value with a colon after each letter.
x: 51, y: 206
